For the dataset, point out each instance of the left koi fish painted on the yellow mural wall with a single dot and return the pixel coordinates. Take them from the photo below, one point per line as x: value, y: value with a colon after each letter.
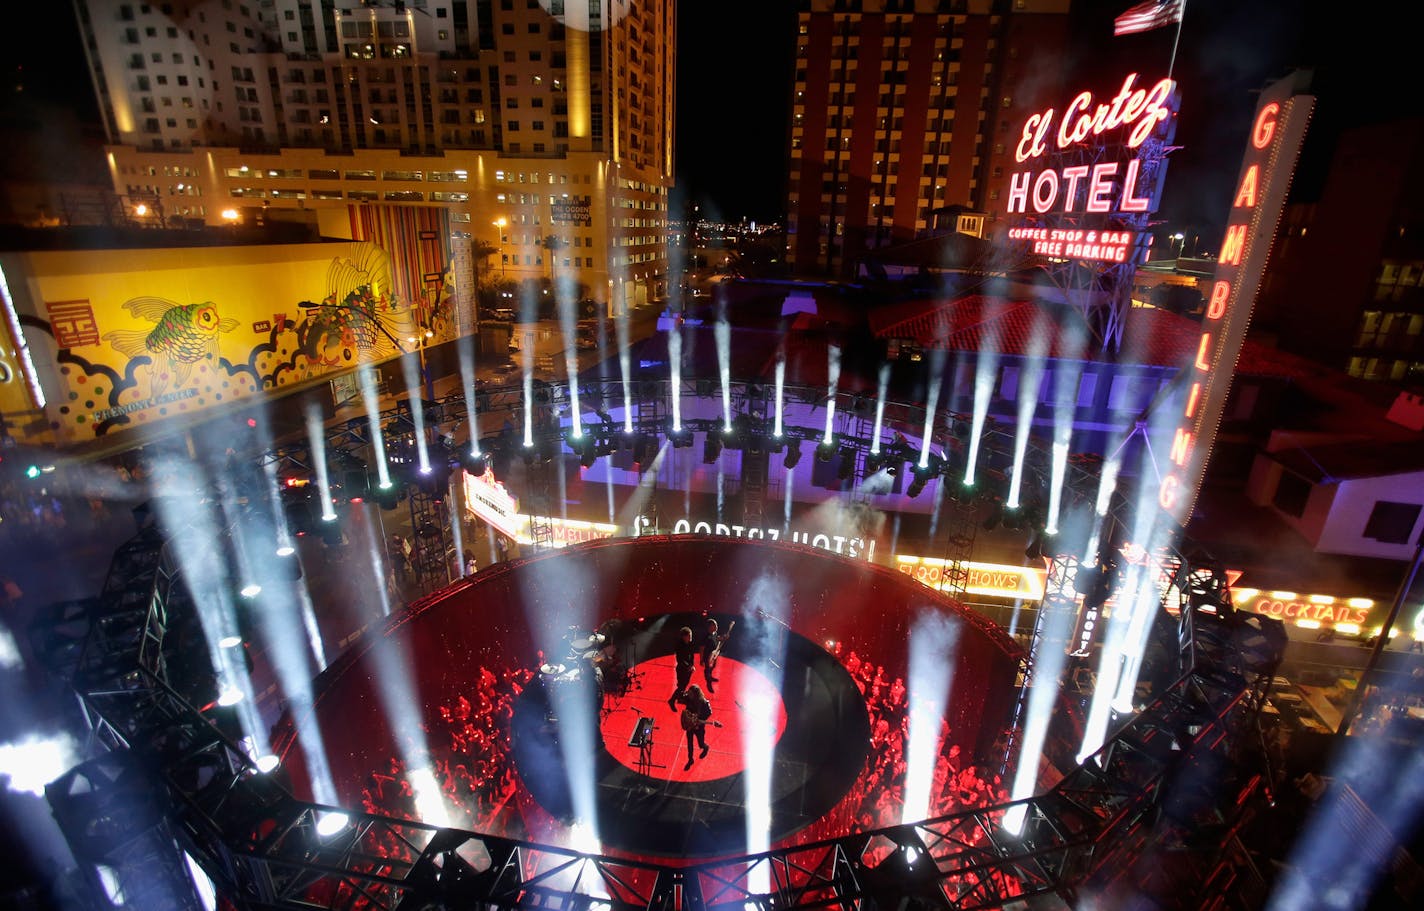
x: 183, y: 335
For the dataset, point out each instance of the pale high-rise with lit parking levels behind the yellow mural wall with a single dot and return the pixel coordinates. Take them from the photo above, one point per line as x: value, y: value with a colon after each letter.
x: 523, y: 119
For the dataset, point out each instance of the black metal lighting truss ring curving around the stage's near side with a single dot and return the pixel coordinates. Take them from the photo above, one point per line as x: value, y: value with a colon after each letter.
x: 166, y: 764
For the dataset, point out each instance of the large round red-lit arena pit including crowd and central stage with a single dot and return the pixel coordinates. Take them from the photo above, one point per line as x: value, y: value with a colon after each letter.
x: 538, y: 695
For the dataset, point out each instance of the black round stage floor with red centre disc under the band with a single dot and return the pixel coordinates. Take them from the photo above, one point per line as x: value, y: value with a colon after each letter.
x: 812, y: 724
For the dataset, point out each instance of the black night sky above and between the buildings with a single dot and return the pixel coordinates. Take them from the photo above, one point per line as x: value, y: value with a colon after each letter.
x: 735, y: 68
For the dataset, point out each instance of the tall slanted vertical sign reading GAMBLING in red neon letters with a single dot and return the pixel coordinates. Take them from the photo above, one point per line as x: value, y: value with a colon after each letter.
x: 1278, y: 132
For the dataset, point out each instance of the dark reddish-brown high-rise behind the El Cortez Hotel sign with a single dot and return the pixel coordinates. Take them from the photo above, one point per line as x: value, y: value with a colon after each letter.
x: 904, y: 107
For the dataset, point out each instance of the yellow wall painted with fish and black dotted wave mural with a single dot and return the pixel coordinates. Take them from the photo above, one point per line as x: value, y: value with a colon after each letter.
x: 127, y: 338
